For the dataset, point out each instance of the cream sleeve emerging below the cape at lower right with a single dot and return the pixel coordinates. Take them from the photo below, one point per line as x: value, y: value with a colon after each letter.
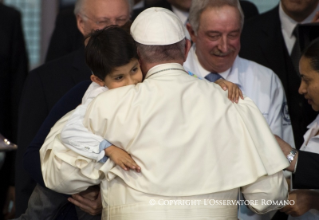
x: 270, y: 192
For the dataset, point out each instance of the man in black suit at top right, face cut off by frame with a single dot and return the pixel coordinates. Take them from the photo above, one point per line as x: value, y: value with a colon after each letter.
x: 268, y: 40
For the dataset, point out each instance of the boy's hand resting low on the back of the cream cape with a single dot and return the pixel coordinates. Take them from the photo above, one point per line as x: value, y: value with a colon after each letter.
x: 121, y: 158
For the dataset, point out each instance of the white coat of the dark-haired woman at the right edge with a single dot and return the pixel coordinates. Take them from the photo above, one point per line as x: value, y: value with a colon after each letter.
x: 311, y: 144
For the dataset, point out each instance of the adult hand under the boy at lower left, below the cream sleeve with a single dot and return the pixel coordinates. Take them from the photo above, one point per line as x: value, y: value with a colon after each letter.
x: 89, y: 200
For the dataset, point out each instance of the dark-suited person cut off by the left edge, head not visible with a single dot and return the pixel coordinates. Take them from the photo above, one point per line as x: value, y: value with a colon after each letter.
x: 13, y: 72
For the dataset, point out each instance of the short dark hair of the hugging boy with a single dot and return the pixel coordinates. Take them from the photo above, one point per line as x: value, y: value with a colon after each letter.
x: 109, y: 48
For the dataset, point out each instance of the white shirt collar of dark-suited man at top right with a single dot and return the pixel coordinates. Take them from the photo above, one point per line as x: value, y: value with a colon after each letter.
x: 288, y: 24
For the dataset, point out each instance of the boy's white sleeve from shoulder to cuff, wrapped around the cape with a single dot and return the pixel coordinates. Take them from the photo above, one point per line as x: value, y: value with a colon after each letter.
x: 75, y: 136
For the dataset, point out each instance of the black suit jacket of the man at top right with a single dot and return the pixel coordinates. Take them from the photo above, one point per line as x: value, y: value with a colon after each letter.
x: 262, y: 41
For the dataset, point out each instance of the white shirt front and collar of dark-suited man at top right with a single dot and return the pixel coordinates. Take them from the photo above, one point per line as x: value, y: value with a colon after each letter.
x: 288, y: 25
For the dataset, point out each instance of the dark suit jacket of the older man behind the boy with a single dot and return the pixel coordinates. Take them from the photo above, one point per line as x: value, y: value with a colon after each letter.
x: 43, y: 88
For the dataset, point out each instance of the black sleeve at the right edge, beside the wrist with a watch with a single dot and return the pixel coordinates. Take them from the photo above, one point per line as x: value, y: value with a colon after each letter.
x: 306, y: 175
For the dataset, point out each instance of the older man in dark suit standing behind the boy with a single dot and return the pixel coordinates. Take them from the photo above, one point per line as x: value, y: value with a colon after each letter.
x: 48, y: 83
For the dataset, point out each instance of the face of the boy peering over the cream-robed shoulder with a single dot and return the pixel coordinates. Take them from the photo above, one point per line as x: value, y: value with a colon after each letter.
x: 128, y: 74
